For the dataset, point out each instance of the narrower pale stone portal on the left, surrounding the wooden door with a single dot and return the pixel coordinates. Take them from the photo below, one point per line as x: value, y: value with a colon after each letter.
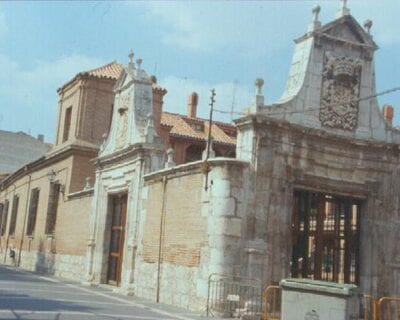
x: 131, y: 149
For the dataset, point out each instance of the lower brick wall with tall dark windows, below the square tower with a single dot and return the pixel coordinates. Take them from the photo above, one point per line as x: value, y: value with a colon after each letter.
x: 71, y: 227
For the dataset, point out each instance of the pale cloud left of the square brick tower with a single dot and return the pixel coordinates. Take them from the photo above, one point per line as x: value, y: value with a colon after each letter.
x: 28, y: 96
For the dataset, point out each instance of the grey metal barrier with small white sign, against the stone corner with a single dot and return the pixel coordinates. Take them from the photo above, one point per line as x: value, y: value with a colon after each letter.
x: 233, y: 296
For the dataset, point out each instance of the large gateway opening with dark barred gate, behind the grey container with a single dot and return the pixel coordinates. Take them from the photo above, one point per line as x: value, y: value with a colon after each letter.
x: 325, y: 233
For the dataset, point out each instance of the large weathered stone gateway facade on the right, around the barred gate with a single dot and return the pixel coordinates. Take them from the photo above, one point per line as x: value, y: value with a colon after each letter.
x: 326, y: 136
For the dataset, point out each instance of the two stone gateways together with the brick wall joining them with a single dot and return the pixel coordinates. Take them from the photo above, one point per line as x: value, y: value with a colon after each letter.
x: 312, y: 192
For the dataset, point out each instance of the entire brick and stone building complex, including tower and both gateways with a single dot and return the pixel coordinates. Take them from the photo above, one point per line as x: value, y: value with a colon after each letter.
x: 312, y: 192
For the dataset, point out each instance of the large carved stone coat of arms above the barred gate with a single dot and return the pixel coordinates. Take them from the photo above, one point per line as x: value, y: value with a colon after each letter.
x: 340, y: 92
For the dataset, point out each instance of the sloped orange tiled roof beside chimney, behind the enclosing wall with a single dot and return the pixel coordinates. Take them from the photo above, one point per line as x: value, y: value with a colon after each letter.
x: 196, y: 128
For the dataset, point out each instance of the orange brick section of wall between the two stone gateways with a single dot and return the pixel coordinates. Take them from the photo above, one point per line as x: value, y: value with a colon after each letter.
x: 185, y: 231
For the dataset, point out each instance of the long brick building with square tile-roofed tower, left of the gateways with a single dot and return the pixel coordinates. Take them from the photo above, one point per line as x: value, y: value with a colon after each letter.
x: 41, y: 202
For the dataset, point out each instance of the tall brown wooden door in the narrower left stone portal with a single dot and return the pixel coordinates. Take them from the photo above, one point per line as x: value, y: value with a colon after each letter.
x: 117, y: 235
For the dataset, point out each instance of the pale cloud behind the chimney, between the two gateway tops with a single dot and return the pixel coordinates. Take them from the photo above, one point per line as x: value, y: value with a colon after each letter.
x: 227, y: 94
